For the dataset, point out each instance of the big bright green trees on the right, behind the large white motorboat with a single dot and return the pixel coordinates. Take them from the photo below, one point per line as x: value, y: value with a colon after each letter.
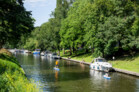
x: 107, y: 26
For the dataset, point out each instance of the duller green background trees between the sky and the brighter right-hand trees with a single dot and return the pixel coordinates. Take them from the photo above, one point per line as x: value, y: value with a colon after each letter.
x: 47, y: 35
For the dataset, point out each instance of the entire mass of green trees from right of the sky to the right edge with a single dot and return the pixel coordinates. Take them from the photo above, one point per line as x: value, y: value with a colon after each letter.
x: 106, y: 27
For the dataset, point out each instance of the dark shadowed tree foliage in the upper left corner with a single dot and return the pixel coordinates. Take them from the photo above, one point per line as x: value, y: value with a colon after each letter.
x: 15, y: 21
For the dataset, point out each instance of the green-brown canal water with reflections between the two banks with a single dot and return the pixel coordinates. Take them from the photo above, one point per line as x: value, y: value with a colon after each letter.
x: 73, y: 77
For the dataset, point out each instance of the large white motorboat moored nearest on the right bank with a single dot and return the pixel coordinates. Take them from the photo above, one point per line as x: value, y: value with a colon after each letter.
x: 101, y: 64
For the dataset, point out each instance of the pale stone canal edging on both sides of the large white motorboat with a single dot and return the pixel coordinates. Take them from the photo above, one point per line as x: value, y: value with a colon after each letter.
x: 115, y: 69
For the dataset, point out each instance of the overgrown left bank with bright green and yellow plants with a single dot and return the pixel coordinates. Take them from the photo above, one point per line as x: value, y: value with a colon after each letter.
x: 12, y: 76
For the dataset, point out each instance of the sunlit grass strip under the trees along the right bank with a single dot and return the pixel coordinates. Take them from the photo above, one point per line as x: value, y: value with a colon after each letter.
x: 127, y: 63
